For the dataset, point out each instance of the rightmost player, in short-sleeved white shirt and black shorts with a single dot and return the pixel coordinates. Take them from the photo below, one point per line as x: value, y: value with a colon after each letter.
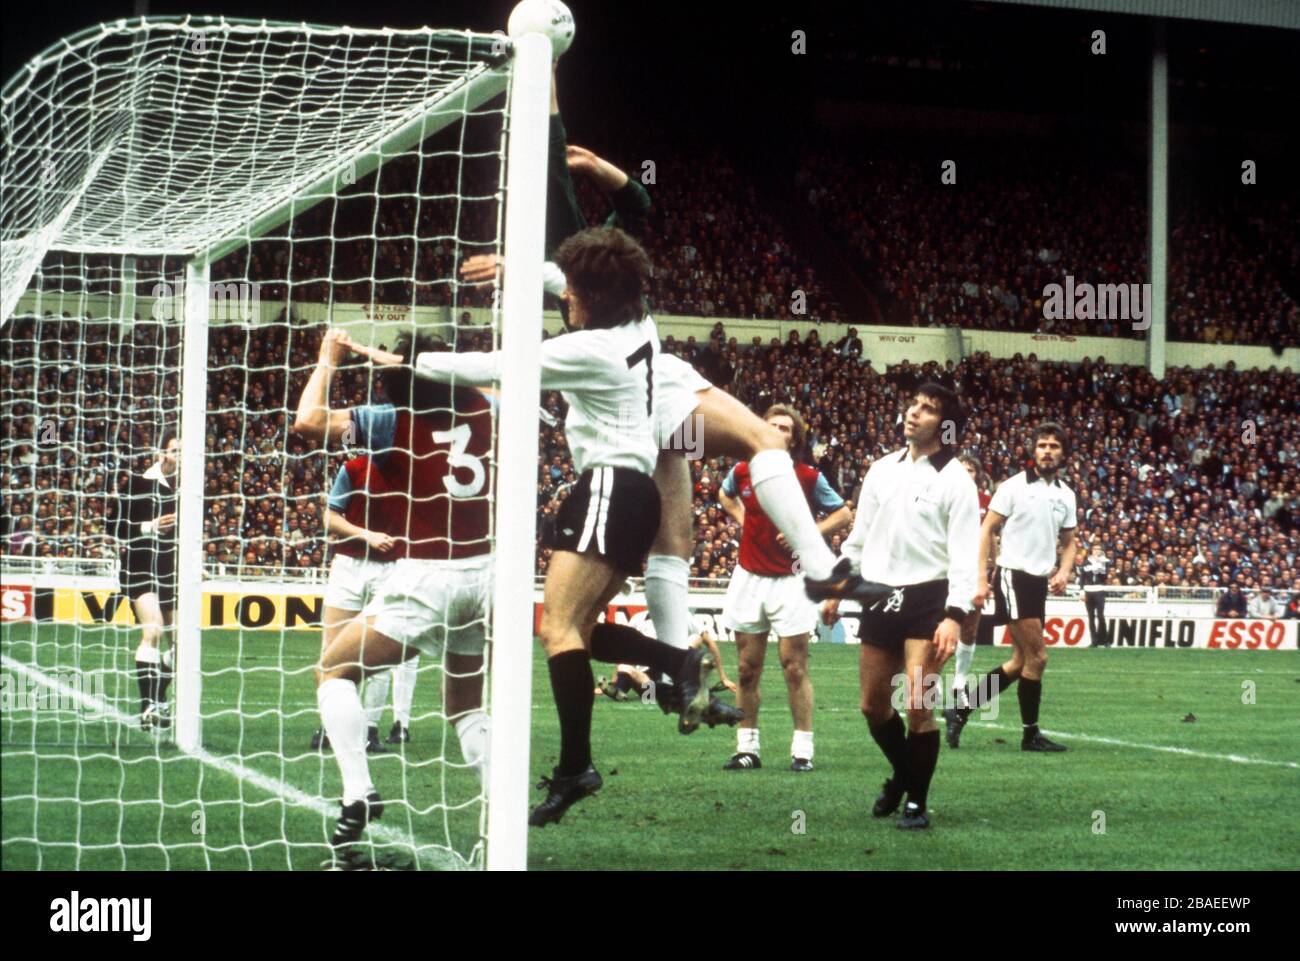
x: 1037, y: 512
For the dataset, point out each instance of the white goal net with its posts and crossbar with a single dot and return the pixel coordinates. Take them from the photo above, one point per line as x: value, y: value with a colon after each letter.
x: 188, y: 206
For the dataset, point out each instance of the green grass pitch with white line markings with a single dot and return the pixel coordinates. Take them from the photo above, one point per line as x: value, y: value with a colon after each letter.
x: 1141, y: 787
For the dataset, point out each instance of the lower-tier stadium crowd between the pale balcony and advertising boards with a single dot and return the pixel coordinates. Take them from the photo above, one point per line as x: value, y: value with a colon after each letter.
x: 1189, y: 482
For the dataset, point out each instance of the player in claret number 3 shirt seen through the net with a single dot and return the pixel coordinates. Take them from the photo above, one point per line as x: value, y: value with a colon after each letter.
x: 431, y: 456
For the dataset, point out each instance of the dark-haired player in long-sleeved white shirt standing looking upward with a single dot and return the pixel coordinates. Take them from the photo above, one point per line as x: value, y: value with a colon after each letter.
x: 917, y: 530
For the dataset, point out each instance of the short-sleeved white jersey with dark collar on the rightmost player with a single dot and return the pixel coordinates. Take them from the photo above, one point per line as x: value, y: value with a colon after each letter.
x: 1037, y: 513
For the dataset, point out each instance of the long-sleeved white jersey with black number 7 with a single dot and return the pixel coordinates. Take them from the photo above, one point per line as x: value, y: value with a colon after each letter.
x: 605, y: 376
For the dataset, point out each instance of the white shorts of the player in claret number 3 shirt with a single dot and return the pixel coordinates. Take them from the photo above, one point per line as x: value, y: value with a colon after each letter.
x: 435, y: 605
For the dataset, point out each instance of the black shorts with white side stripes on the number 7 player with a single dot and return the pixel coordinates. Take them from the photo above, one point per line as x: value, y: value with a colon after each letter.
x: 612, y: 512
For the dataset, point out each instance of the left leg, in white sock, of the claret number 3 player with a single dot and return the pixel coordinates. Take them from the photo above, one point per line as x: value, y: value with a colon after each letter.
x: 357, y: 651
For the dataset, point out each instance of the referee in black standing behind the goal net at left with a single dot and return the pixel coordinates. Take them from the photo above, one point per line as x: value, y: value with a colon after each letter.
x: 145, y: 525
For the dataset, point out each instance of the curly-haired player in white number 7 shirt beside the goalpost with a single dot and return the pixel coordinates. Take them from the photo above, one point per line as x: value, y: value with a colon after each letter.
x: 605, y: 371
